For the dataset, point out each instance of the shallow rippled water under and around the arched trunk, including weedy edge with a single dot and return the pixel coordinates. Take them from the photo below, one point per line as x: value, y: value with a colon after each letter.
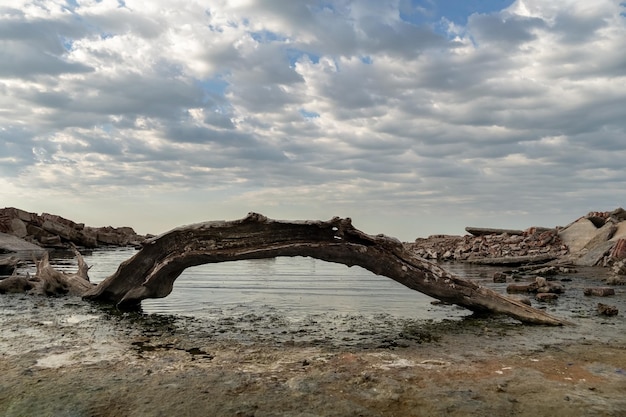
x: 285, y: 295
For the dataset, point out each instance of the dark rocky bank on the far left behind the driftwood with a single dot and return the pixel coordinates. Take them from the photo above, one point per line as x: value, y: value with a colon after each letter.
x: 52, y: 231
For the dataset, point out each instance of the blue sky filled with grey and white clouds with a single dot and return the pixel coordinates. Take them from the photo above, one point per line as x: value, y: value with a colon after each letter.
x: 413, y: 117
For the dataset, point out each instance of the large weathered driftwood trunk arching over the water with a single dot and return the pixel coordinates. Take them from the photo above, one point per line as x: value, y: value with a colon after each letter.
x: 152, y: 271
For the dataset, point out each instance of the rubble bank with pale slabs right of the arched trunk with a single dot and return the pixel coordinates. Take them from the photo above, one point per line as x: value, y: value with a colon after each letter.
x: 597, y: 239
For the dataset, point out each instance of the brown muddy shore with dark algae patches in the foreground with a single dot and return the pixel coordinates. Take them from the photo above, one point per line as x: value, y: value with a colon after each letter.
x: 65, y: 357
